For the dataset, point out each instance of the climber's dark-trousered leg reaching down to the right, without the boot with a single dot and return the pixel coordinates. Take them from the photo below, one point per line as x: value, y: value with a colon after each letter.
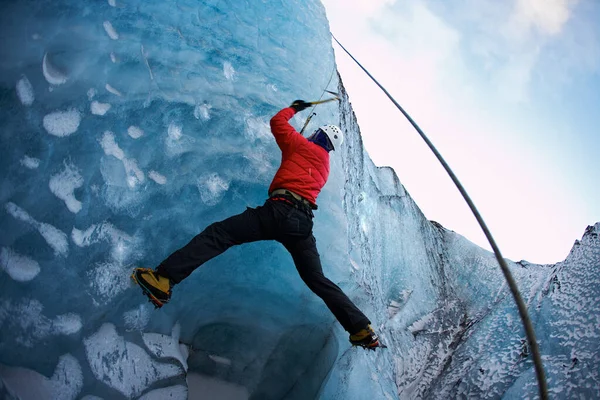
x: 308, y: 263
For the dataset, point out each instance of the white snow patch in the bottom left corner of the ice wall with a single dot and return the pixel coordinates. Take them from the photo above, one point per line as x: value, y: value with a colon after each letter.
x: 26, y: 384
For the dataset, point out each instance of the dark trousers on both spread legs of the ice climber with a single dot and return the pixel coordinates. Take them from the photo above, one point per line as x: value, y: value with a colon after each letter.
x: 275, y: 220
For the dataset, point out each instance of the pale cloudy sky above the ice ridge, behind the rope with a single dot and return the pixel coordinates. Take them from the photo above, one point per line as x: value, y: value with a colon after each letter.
x: 509, y: 93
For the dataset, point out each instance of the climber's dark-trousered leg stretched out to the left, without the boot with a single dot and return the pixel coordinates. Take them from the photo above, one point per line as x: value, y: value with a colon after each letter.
x: 249, y: 226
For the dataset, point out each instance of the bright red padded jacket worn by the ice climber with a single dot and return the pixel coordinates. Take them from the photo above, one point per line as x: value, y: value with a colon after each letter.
x: 304, y: 165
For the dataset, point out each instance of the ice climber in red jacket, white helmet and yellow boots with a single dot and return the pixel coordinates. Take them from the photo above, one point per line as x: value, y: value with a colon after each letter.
x: 285, y: 217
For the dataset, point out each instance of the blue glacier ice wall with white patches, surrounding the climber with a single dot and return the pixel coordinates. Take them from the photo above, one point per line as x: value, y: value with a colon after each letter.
x: 127, y: 127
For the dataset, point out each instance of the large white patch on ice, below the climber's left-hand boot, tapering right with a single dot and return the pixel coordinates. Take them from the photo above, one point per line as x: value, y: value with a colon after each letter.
x: 122, y: 365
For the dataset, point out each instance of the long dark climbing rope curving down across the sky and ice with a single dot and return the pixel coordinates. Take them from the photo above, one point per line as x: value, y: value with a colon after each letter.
x: 530, y: 333
